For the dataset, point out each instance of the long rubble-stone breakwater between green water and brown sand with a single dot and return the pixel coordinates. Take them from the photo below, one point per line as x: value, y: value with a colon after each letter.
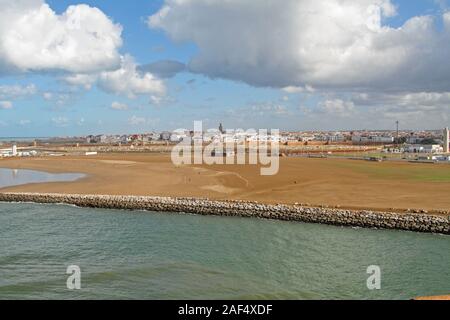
x: 331, y: 216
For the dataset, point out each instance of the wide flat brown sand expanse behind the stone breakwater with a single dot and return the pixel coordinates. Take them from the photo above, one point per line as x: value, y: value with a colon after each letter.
x: 333, y: 182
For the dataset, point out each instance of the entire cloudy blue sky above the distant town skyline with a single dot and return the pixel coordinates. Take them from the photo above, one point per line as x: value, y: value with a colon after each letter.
x: 72, y: 68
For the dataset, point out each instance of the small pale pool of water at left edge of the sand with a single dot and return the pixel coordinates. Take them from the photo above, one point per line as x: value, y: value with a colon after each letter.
x: 15, y: 177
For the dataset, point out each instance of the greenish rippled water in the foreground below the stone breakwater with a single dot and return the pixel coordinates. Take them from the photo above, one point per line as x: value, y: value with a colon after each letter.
x: 146, y: 255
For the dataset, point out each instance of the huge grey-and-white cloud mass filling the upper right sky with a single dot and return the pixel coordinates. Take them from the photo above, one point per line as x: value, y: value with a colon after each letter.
x: 329, y: 44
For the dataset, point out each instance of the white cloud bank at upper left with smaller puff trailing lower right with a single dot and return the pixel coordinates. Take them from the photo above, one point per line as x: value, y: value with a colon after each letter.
x: 82, y: 44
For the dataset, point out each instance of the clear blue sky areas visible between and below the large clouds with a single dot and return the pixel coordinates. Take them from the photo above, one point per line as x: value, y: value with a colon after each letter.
x: 57, y: 108
